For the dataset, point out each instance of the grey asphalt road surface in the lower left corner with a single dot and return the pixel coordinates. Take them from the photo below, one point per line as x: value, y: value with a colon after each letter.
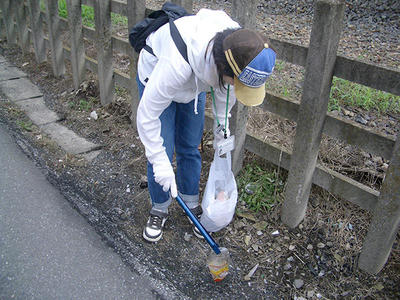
x: 48, y: 250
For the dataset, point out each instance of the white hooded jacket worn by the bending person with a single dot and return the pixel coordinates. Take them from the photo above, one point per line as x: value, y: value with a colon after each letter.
x: 171, y: 78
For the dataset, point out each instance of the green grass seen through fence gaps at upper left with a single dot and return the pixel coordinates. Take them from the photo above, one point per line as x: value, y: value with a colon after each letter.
x: 87, y: 14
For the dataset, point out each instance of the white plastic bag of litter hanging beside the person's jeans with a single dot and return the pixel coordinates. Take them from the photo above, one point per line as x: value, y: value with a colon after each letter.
x: 220, y: 195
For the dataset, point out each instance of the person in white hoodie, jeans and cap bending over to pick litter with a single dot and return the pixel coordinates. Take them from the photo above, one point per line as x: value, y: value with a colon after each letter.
x: 230, y: 62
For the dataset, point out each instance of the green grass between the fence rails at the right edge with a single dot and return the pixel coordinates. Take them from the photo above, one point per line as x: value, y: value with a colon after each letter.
x: 347, y: 93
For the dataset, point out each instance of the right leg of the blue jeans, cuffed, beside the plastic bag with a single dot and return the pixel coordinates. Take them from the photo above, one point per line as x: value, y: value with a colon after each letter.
x: 189, y: 130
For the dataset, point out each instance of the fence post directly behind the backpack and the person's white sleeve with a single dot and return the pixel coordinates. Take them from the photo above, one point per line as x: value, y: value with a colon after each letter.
x: 135, y: 12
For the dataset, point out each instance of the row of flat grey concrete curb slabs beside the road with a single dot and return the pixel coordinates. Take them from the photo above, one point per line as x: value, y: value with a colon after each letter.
x: 21, y: 91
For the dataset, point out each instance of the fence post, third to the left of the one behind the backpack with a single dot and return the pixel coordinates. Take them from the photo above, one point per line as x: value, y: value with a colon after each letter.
x: 56, y: 46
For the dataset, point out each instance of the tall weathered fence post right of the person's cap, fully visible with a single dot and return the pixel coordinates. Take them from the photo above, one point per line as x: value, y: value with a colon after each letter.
x: 327, y: 25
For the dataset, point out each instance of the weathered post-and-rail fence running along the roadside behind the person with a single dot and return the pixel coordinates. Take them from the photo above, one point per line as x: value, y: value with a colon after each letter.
x: 321, y: 63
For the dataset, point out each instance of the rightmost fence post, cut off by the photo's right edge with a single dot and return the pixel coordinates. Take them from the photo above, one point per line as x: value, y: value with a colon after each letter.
x: 386, y: 219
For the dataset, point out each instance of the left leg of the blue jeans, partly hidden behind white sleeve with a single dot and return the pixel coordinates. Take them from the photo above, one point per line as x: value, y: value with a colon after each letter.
x: 160, y: 199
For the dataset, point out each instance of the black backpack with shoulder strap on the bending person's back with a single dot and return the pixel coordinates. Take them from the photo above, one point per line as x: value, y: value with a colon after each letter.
x: 168, y: 13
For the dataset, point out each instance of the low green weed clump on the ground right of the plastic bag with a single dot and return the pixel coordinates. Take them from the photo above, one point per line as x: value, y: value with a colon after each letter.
x: 267, y: 188
